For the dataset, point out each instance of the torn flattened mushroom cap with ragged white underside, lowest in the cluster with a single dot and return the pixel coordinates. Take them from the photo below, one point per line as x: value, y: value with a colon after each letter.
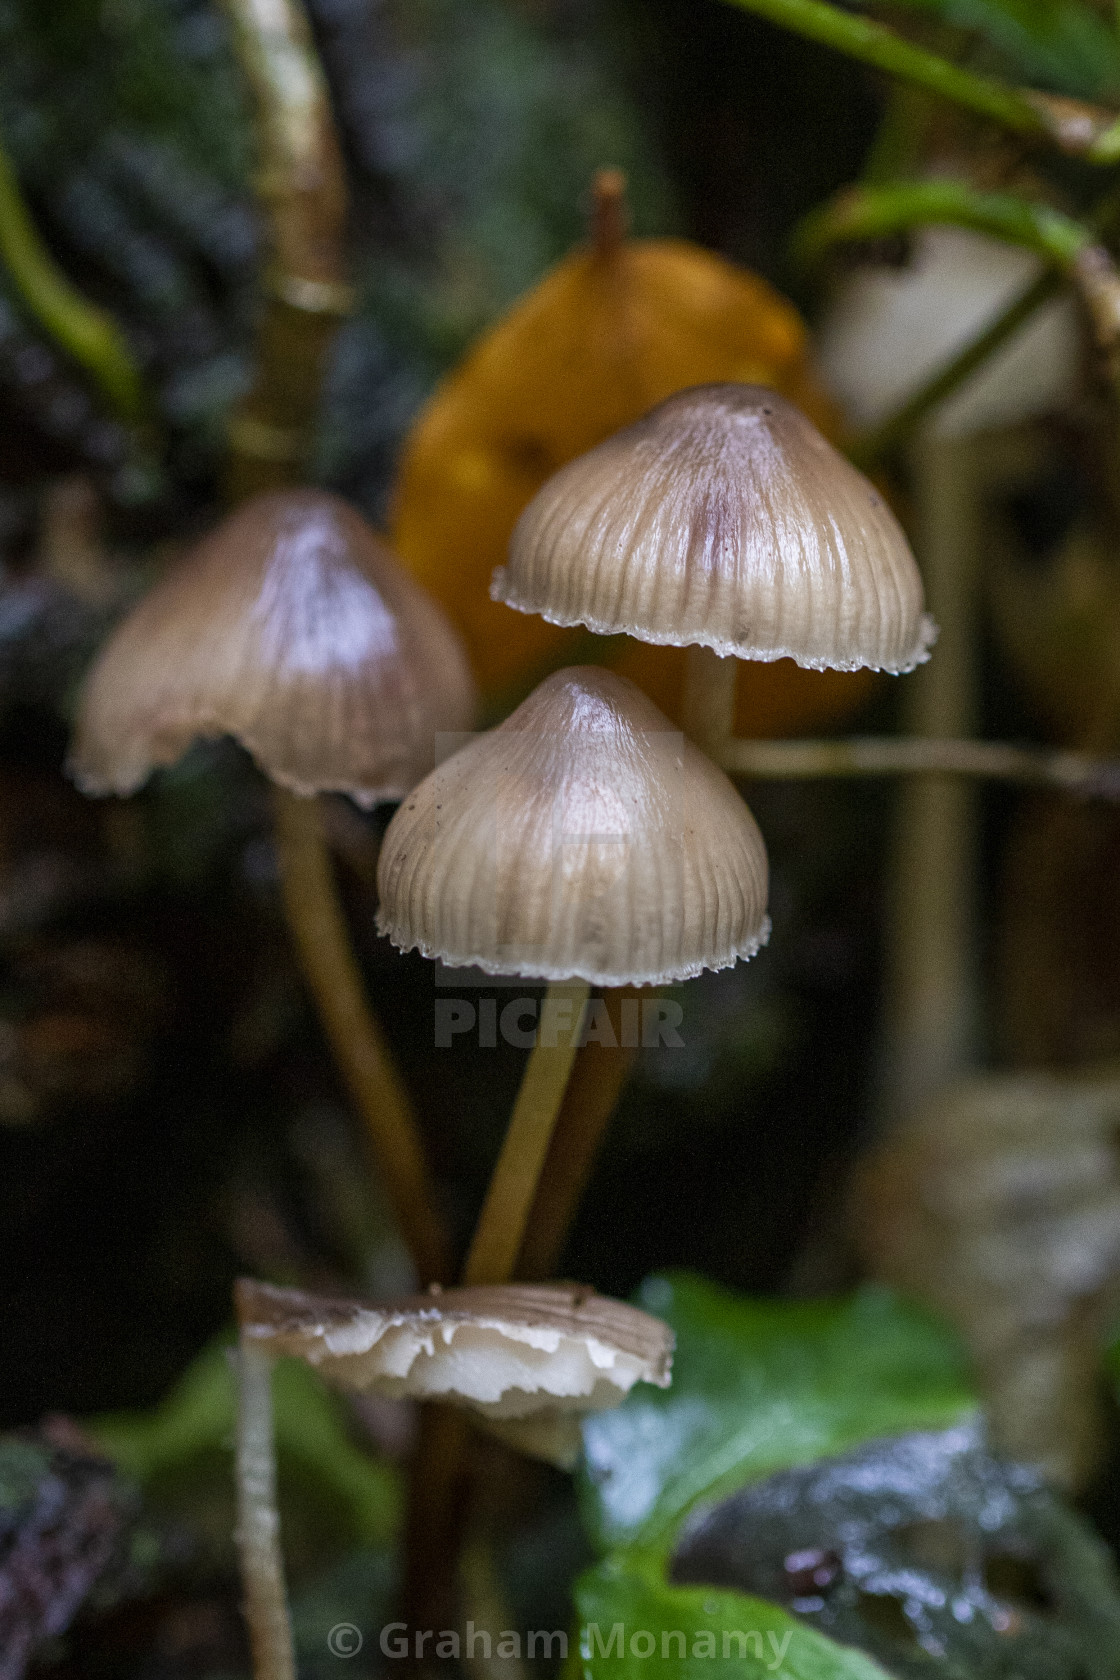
x: 521, y: 1357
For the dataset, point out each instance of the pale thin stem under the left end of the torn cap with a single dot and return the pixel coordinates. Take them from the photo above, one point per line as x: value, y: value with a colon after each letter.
x: 259, y: 1520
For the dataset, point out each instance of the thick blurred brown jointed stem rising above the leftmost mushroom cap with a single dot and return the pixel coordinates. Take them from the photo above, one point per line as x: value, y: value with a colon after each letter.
x: 303, y: 187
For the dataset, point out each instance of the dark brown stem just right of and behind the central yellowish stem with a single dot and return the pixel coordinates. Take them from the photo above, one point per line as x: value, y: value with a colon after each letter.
x: 597, y: 1083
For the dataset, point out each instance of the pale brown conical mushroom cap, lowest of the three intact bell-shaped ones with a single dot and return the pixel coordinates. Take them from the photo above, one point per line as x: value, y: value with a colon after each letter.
x: 580, y: 839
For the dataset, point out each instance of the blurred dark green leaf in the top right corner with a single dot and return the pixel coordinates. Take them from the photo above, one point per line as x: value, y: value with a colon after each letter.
x: 1057, y: 45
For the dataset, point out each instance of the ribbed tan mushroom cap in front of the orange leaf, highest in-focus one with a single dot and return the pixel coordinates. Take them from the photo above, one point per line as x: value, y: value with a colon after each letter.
x: 726, y: 520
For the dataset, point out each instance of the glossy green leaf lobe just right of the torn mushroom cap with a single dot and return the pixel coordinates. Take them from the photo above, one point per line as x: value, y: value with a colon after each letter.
x: 760, y: 1385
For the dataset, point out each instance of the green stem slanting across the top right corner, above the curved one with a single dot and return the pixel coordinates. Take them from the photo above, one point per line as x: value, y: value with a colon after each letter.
x: 1077, y: 129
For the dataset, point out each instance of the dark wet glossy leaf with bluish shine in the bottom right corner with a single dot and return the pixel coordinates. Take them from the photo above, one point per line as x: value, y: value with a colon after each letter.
x: 921, y: 1546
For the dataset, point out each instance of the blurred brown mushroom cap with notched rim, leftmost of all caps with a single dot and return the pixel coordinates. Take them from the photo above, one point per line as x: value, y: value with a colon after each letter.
x: 293, y: 629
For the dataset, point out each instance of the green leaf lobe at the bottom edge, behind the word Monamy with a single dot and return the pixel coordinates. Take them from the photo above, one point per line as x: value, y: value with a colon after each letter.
x: 723, y: 1635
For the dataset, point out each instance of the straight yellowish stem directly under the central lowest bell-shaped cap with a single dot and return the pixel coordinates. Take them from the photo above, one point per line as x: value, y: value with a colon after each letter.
x: 505, y: 1215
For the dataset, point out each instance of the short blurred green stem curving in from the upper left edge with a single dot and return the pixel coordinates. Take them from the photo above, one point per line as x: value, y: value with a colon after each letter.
x: 86, y: 333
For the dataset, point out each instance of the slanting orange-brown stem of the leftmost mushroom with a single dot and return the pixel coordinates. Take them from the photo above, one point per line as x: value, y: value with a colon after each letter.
x: 328, y: 960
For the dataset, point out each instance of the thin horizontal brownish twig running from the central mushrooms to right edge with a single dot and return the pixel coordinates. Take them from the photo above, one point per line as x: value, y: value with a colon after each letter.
x: 1081, y: 774
